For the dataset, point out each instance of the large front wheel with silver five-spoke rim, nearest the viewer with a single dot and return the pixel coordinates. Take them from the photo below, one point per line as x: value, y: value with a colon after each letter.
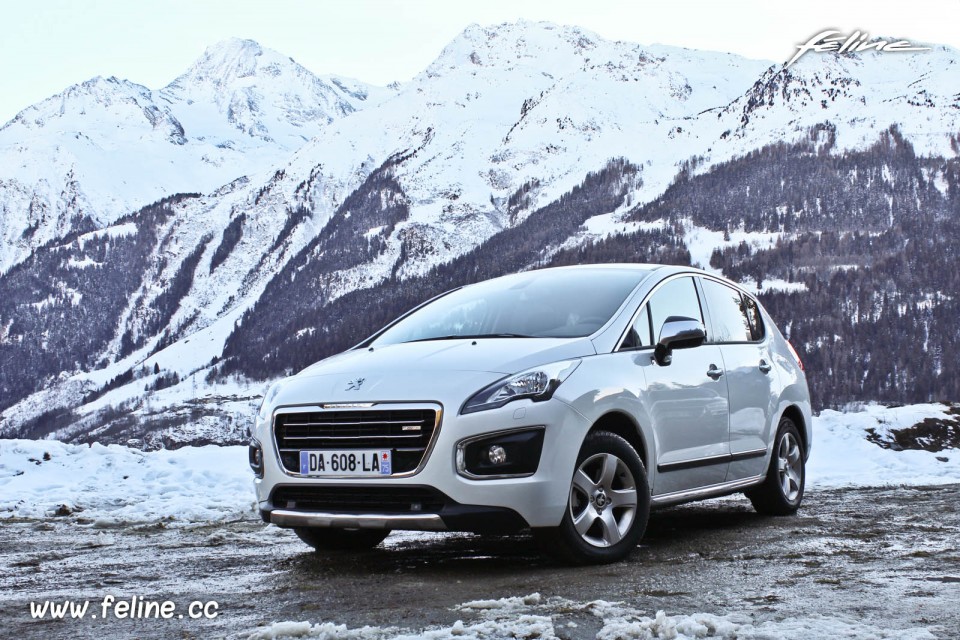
x: 608, y: 472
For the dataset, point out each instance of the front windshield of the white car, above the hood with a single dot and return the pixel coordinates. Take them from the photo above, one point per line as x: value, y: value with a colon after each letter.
x: 555, y: 303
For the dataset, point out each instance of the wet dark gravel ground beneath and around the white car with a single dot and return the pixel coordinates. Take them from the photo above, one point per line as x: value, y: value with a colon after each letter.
x: 888, y: 557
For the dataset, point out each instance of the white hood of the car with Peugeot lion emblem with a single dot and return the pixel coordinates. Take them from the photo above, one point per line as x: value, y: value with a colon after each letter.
x: 423, y: 370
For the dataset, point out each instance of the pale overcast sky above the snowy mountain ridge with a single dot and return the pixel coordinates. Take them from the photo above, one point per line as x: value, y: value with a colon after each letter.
x: 48, y: 45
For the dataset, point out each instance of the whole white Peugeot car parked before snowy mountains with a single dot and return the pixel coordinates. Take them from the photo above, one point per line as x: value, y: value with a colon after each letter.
x: 568, y: 400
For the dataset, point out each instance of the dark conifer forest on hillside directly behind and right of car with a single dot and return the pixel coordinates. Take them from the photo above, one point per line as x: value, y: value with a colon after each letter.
x: 873, y: 235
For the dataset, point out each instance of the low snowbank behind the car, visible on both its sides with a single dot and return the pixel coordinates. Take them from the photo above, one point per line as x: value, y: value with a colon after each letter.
x: 114, y: 484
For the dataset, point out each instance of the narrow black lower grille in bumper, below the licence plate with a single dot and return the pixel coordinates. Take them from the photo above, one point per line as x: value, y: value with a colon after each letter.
x: 385, y: 500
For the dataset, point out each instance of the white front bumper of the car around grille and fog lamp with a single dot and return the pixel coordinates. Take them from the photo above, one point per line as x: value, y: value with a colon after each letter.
x: 461, y: 503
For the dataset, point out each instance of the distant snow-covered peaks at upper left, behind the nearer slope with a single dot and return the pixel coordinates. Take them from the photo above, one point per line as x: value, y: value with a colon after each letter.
x: 106, y: 147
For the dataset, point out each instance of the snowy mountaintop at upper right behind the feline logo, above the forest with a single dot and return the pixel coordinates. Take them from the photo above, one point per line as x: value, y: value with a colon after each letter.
x: 859, y: 94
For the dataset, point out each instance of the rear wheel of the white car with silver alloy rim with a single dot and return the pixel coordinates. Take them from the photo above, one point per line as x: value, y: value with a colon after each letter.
x: 781, y: 492
